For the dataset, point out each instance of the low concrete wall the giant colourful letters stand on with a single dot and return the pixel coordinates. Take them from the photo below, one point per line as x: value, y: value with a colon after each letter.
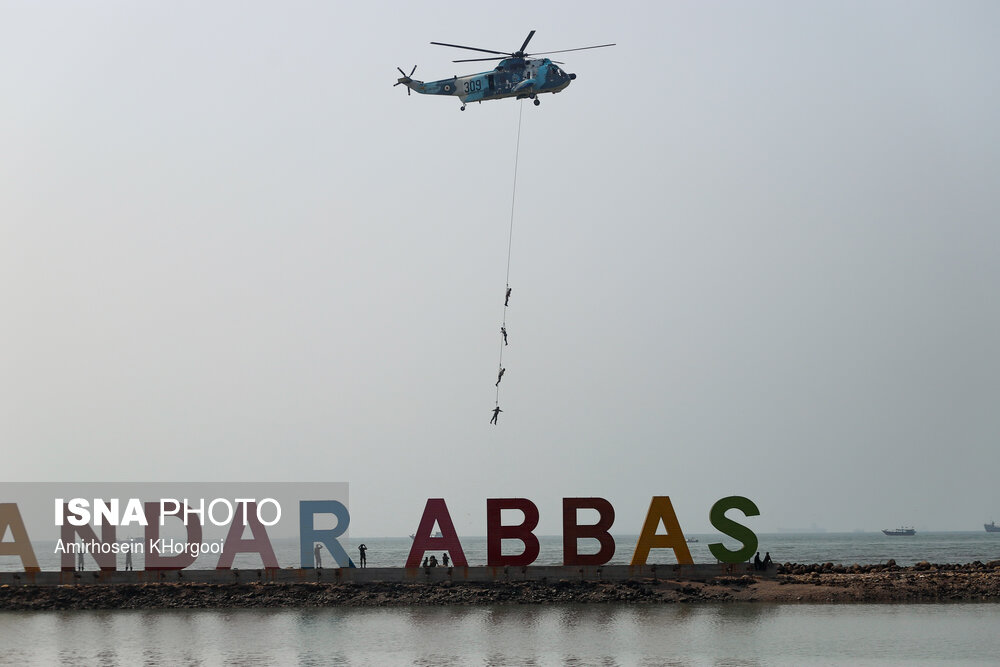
x: 417, y: 575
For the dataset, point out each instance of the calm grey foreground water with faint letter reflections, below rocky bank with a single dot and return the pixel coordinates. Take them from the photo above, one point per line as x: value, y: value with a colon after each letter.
x: 726, y: 634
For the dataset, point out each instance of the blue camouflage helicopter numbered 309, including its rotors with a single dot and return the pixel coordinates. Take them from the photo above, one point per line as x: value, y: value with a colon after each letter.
x: 517, y: 75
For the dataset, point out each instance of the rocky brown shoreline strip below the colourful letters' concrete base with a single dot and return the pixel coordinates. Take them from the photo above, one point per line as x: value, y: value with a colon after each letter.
x: 793, y: 583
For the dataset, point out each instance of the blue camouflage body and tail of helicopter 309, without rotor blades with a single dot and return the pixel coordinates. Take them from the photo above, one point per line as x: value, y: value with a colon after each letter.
x: 512, y: 77
